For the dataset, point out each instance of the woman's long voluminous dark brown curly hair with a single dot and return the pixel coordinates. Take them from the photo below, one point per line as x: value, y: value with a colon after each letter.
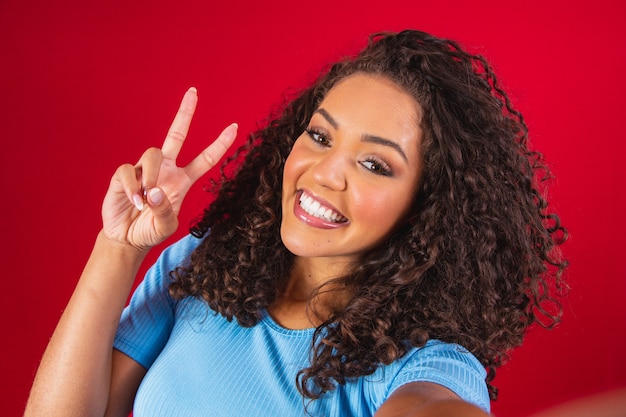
x: 477, y: 264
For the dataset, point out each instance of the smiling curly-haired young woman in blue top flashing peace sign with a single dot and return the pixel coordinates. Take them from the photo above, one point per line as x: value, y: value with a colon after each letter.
x: 382, y: 247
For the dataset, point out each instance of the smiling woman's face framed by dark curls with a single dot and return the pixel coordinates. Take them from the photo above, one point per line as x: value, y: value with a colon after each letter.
x: 351, y: 177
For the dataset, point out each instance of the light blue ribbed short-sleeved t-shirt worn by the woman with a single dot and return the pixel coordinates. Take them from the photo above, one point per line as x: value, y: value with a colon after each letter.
x: 200, y: 364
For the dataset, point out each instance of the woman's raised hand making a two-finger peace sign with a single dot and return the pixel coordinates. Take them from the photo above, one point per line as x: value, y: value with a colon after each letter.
x: 142, y: 203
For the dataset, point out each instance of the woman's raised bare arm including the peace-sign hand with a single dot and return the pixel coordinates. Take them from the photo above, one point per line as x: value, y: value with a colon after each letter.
x: 80, y: 373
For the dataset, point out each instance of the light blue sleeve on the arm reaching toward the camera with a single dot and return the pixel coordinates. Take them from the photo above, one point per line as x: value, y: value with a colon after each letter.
x: 446, y: 364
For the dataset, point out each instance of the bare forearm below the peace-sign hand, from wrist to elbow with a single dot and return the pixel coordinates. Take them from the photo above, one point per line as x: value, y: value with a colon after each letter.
x: 74, y: 376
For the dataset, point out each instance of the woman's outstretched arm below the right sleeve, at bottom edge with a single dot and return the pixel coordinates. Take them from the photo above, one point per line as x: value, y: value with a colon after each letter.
x: 425, y: 399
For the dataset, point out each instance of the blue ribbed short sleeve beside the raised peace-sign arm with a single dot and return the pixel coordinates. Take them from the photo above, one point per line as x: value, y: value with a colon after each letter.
x: 147, y: 321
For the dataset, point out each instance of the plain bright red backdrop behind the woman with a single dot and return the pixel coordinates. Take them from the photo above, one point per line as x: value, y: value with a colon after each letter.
x: 85, y: 87
